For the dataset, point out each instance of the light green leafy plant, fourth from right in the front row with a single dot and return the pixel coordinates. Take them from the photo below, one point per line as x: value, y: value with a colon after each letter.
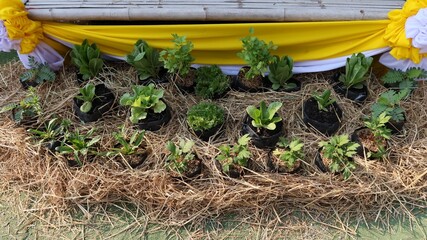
x: 237, y: 155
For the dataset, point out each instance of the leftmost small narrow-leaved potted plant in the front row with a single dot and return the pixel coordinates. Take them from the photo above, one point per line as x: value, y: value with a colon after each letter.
x: 51, y: 135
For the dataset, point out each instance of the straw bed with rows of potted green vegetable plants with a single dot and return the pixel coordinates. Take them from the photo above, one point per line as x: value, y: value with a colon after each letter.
x: 218, y: 146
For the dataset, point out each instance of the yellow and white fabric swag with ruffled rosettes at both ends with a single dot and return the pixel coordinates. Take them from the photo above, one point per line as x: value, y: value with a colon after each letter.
x: 315, y: 46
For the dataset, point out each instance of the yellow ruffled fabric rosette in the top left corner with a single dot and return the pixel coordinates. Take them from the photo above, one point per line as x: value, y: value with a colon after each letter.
x: 18, y: 26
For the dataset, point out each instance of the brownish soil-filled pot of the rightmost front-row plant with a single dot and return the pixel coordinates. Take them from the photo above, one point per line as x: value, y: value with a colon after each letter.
x: 367, y: 143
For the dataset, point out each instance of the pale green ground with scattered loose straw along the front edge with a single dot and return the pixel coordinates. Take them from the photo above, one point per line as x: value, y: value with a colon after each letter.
x: 19, y: 220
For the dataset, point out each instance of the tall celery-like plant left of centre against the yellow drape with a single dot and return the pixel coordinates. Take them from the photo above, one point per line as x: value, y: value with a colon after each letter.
x: 178, y: 59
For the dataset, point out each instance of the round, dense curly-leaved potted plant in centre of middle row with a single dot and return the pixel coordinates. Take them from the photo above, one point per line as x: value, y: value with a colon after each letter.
x: 205, y: 119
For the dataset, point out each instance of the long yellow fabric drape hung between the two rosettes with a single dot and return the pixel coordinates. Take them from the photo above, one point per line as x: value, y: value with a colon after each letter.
x: 219, y: 43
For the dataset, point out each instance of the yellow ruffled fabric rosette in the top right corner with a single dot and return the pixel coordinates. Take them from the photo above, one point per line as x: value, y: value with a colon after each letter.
x: 395, y: 34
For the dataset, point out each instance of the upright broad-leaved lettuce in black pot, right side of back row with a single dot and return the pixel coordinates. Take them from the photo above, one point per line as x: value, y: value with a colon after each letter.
x: 352, y: 83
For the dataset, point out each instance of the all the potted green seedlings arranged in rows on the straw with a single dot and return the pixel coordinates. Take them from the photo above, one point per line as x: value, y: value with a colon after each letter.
x: 262, y: 125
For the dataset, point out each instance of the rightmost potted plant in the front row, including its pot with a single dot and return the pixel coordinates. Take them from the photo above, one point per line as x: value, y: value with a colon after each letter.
x: 373, y: 137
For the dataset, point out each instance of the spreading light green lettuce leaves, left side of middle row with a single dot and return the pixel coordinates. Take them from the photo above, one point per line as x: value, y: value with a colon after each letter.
x: 142, y: 100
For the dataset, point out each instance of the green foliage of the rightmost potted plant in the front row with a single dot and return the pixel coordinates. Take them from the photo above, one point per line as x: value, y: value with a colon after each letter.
x: 380, y: 132
